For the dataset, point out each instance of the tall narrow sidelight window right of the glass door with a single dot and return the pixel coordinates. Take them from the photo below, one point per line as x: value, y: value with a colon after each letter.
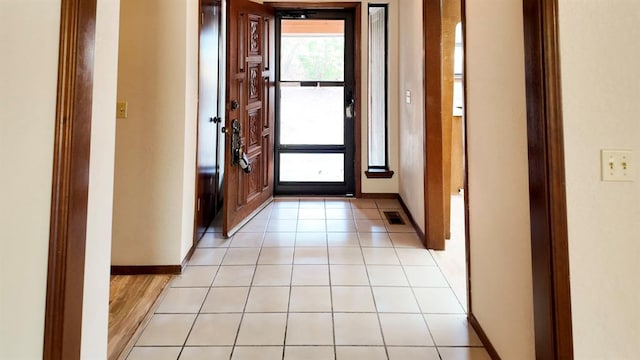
x: 377, y: 87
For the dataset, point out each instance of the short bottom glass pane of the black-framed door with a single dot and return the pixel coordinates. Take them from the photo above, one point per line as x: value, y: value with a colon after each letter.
x: 311, y: 167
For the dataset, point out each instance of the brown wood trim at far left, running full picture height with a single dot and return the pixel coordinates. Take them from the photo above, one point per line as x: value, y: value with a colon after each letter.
x: 70, y: 188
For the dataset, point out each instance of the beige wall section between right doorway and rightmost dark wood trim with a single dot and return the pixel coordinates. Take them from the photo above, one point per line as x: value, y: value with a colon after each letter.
x: 502, y: 295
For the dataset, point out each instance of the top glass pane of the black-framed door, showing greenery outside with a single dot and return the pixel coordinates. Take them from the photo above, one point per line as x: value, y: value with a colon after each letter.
x: 312, y: 50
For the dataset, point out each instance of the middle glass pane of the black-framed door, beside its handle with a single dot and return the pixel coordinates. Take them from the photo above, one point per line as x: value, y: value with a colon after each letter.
x: 311, y: 115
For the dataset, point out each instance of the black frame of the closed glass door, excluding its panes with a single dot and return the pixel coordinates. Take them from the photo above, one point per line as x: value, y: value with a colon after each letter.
x: 348, y: 149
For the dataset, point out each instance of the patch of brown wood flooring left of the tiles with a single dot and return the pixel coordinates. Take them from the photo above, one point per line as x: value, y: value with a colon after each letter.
x: 130, y: 299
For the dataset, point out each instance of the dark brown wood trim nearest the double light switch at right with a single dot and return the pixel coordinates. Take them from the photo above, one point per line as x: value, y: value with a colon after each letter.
x: 549, y: 238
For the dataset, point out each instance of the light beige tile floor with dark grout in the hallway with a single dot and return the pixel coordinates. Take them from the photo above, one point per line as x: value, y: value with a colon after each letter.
x: 325, y: 279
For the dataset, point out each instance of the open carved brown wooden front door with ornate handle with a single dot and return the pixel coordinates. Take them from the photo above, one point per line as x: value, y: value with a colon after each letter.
x: 249, y: 122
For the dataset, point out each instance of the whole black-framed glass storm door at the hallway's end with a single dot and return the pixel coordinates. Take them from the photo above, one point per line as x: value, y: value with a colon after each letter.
x: 314, y: 148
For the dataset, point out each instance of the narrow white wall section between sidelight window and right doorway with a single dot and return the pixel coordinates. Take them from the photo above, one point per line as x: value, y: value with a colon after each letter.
x: 411, y: 127
